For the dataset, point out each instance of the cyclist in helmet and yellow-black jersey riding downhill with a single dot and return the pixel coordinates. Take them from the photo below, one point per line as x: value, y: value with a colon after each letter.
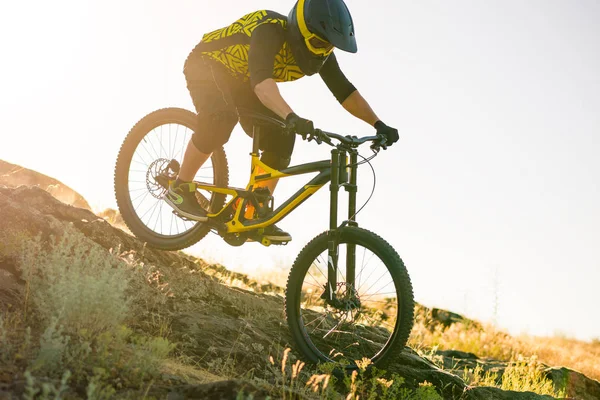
x: 239, y: 65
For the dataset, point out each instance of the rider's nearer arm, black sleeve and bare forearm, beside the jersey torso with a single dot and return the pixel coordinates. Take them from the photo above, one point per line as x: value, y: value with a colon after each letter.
x: 265, y: 42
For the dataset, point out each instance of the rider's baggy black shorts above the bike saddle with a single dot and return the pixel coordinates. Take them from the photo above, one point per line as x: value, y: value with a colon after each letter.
x: 216, y: 96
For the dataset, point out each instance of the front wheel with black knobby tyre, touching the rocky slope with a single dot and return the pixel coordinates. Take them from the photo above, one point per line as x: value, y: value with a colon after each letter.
x: 367, y: 313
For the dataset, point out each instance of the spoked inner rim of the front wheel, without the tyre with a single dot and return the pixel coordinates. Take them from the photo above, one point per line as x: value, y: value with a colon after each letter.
x: 362, y: 318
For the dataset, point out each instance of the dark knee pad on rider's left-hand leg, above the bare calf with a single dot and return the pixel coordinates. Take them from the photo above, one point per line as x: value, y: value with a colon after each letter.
x: 214, y: 130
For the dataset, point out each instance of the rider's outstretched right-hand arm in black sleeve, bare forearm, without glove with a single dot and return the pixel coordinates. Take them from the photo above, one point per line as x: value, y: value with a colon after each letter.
x: 345, y: 92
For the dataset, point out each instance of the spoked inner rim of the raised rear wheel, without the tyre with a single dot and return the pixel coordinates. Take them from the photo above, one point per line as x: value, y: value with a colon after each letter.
x: 153, y: 153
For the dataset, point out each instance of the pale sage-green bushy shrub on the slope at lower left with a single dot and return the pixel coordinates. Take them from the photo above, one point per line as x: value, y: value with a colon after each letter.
x: 76, y: 282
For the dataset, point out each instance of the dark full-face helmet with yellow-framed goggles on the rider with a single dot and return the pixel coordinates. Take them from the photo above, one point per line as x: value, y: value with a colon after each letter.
x: 315, y: 28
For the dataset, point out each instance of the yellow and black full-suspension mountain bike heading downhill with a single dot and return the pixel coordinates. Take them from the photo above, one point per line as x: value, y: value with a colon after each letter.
x: 348, y: 294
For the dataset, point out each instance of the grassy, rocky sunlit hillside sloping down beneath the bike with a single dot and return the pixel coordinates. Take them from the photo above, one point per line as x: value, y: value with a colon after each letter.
x: 88, y: 312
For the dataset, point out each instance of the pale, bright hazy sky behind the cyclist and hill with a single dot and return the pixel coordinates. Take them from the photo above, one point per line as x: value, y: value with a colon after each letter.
x: 491, y: 196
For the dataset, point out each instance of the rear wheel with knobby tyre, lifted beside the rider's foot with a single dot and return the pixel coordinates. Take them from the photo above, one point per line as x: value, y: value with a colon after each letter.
x: 153, y: 147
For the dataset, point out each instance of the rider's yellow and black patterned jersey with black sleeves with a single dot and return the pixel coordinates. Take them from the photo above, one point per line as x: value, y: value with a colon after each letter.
x: 254, y: 48
